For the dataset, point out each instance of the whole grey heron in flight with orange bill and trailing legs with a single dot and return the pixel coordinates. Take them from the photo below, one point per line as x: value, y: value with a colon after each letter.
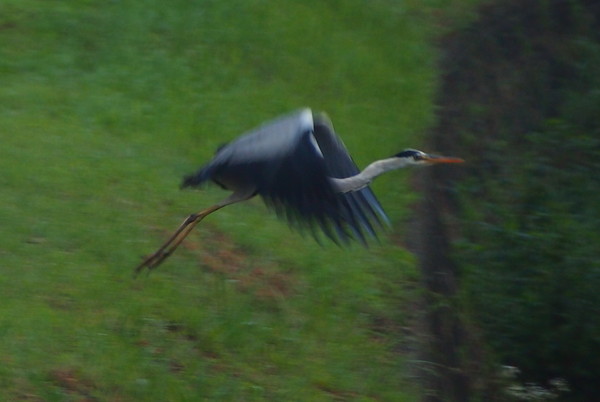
x: 303, y: 171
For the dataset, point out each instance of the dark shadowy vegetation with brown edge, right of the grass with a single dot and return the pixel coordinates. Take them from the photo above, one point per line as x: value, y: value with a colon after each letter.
x: 520, y: 100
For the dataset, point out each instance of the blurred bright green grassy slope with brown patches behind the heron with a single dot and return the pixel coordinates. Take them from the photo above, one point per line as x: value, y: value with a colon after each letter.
x: 104, y: 105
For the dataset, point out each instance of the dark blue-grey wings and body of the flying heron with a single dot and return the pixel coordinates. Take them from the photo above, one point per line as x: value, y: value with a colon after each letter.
x: 288, y: 163
